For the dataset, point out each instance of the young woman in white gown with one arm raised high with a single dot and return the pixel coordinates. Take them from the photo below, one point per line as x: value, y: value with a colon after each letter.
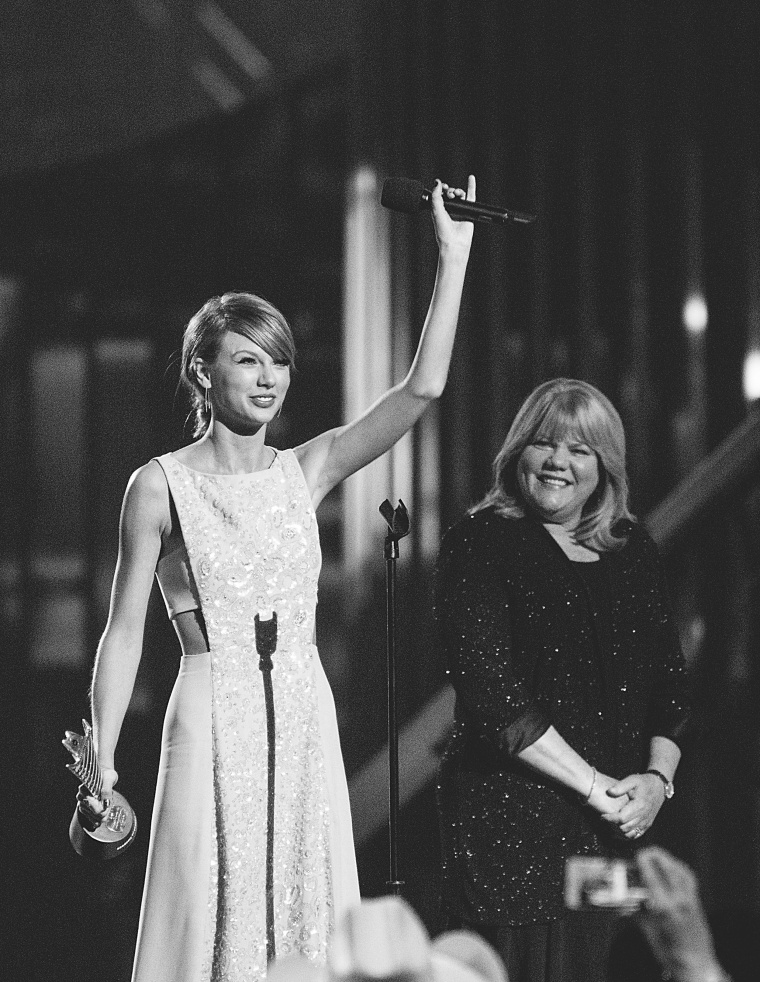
x: 251, y: 852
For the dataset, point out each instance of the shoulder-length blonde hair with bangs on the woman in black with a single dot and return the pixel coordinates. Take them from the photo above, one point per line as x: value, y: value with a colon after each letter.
x: 556, y: 409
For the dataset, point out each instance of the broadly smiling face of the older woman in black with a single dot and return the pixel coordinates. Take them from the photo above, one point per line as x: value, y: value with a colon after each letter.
x: 556, y: 477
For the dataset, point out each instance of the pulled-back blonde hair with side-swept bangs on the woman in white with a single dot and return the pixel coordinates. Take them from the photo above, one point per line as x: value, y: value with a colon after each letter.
x: 243, y: 313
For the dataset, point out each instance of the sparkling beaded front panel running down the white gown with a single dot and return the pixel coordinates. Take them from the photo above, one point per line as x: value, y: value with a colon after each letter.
x: 253, y: 546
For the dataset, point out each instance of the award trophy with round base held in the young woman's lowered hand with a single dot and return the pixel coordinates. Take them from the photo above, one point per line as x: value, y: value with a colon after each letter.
x: 117, y: 830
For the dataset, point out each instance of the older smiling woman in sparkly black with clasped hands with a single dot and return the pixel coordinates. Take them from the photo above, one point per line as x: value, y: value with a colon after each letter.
x: 561, y: 646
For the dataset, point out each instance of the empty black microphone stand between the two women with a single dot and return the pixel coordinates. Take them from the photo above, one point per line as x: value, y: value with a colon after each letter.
x: 397, y: 520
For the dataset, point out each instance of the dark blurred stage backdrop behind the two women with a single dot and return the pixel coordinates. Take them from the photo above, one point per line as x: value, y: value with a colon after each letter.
x: 149, y: 159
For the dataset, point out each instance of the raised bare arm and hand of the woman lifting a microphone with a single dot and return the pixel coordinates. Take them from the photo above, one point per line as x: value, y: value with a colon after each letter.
x: 331, y: 457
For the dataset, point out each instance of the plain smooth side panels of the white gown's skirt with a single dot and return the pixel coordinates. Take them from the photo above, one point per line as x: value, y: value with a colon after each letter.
x: 177, y: 930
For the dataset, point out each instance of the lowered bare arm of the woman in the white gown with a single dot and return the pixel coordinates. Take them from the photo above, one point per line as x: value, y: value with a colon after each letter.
x: 145, y: 513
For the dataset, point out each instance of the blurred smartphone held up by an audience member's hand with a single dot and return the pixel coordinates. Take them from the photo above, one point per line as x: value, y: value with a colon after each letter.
x: 598, y: 882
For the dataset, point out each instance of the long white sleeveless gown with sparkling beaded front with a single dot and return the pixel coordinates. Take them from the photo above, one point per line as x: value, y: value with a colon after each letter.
x: 237, y: 813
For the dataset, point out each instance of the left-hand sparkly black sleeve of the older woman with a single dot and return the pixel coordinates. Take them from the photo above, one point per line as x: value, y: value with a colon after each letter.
x: 473, y: 621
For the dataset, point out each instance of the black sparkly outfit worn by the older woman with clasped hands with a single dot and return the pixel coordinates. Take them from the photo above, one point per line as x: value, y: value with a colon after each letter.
x: 532, y: 640
